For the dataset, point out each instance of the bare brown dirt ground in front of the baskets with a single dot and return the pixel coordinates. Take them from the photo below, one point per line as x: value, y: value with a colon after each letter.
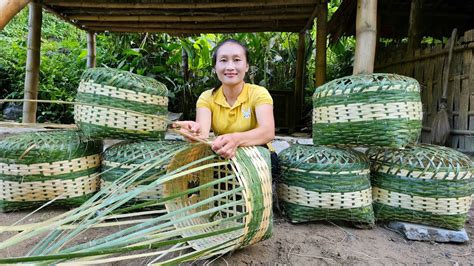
x: 310, y: 244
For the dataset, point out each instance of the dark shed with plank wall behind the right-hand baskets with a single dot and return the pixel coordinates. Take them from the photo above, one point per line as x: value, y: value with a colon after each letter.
x: 406, y: 22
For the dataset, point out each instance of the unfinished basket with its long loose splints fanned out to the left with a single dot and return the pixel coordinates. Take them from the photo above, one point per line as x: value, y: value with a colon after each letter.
x: 213, y: 206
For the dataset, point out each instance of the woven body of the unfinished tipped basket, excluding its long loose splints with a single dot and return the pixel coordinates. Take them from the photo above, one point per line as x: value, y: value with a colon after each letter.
x: 246, y: 192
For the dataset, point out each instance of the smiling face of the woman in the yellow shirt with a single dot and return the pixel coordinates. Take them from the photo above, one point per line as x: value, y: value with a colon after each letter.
x: 231, y: 64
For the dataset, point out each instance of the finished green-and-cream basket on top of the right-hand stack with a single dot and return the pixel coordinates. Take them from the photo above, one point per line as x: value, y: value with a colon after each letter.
x: 367, y: 110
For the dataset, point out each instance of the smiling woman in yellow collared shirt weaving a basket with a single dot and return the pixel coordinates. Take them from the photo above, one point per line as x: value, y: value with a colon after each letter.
x: 240, y: 114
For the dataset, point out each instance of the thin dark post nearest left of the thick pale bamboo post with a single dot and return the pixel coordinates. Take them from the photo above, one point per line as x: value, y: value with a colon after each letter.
x: 321, y: 43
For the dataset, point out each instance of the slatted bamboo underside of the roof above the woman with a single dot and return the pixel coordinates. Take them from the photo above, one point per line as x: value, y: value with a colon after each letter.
x: 186, y: 16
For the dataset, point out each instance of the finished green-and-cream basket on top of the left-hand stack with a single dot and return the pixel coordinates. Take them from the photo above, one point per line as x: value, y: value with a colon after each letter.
x: 120, y: 104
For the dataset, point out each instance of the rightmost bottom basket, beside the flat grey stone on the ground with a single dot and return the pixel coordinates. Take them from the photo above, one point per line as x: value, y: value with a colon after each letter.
x: 424, y: 184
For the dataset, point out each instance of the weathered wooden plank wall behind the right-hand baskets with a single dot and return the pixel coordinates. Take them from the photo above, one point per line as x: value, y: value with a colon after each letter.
x: 427, y: 65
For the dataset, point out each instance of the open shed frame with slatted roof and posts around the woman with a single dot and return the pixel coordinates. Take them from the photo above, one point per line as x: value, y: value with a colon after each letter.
x: 184, y: 17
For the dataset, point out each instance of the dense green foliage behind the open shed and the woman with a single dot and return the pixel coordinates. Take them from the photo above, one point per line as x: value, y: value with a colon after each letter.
x: 63, y: 59
